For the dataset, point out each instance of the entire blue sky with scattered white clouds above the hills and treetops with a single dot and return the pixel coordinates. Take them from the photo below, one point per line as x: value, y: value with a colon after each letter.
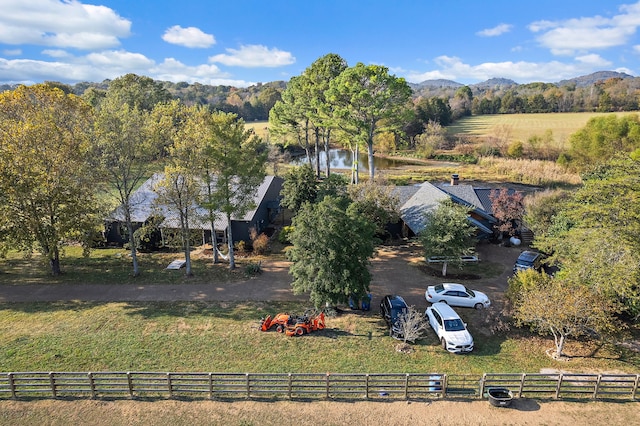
x: 242, y: 42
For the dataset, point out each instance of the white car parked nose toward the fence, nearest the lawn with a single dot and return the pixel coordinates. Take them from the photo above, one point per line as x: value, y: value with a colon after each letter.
x: 450, y: 329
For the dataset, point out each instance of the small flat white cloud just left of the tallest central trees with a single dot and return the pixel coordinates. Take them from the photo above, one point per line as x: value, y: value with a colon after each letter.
x: 253, y: 56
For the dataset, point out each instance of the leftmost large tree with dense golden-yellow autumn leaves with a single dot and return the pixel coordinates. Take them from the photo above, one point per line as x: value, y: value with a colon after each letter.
x: 47, y: 179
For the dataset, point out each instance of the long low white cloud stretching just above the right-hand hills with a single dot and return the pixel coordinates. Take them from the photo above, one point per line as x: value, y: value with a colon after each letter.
x: 452, y: 68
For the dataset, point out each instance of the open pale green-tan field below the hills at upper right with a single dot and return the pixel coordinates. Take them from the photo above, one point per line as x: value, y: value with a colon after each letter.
x: 521, y: 127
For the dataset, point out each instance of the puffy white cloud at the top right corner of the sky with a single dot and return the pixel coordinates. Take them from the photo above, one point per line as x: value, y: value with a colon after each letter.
x: 588, y: 33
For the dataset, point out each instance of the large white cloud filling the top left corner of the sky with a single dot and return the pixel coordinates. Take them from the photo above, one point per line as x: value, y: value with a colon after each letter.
x: 64, y: 24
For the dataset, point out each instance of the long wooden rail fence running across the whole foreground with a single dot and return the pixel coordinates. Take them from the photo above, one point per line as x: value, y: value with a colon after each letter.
x: 336, y: 386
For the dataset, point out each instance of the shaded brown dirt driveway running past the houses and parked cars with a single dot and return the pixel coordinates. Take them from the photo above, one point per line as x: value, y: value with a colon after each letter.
x: 391, y: 270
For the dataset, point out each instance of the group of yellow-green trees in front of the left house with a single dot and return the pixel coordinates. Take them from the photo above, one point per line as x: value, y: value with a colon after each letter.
x: 66, y: 162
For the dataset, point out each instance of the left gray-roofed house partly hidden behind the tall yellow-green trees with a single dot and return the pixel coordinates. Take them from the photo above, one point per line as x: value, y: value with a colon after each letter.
x: 144, y: 208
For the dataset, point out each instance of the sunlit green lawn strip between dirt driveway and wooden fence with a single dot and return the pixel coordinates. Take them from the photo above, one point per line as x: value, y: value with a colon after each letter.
x: 224, y: 337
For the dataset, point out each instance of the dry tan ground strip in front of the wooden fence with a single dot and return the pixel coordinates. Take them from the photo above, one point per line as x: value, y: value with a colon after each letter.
x: 437, y: 412
